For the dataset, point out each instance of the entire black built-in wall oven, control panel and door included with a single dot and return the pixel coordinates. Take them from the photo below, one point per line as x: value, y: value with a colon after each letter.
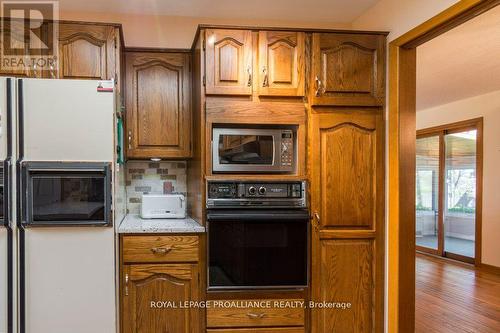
x: 257, y: 235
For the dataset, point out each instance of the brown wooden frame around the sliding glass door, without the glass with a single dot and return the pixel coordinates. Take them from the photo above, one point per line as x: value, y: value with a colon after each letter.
x: 441, y: 131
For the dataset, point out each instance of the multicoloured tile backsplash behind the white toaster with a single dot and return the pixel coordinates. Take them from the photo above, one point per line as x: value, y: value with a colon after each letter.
x: 153, y: 177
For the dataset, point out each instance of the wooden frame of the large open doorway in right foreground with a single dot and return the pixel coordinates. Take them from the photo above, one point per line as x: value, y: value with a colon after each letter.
x: 401, y: 157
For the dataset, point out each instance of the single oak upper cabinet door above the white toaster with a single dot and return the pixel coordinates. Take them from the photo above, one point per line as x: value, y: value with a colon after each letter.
x: 158, y: 105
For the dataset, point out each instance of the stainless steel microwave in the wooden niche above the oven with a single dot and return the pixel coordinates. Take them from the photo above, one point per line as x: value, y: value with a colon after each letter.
x: 254, y: 150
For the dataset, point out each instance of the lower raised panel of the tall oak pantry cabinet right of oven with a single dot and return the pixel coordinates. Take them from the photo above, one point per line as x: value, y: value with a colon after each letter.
x: 345, y: 274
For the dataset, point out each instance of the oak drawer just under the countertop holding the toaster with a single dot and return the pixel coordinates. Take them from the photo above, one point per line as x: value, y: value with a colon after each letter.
x: 160, y: 248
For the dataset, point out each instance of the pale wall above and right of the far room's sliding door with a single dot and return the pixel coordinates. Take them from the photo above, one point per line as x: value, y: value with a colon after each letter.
x: 487, y: 106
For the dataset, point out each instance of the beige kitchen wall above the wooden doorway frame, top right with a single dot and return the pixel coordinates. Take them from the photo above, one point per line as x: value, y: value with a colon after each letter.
x: 399, y: 16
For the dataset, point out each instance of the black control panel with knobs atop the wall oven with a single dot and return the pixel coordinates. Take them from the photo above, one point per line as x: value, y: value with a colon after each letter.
x: 247, y: 193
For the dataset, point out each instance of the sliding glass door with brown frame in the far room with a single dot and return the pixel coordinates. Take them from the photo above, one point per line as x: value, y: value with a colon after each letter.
x: 448, y: 179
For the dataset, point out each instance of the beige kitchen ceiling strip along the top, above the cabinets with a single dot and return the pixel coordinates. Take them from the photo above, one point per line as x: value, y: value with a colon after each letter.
x: 340, y: 11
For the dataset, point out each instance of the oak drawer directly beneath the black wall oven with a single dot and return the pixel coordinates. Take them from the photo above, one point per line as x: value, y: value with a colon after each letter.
x: 248, y: 316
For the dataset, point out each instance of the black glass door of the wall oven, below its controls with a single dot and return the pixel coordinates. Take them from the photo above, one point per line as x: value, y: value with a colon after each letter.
x: 257, y: 251
